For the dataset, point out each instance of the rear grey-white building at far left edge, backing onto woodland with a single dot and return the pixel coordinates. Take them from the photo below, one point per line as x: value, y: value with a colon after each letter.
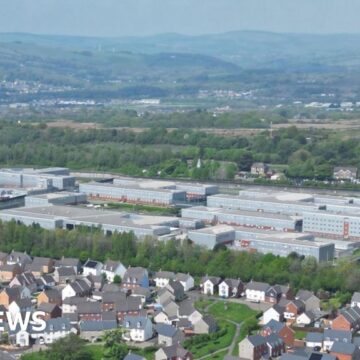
x: 49, y: 178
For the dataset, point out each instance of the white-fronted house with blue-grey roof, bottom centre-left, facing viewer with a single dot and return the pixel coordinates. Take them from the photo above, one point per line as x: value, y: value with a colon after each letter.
x: 137, y: 328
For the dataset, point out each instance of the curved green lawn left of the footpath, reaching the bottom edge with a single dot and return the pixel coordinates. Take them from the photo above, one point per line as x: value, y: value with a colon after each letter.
x: 207, y: 346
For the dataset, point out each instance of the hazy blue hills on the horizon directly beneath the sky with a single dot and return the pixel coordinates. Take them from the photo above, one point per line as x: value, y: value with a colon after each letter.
x: 245, y: 48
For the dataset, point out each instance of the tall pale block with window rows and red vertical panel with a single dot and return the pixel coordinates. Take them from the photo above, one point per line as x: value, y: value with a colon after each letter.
x: 332, y: 225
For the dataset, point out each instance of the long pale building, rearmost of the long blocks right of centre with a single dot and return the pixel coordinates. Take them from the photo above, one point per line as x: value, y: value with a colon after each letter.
x: 258, y: 204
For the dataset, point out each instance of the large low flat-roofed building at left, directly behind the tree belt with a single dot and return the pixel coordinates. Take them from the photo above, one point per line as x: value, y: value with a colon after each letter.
x: 69, y: 217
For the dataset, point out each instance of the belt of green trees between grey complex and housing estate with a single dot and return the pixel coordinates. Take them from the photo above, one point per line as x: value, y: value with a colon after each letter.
x: 341, y: 278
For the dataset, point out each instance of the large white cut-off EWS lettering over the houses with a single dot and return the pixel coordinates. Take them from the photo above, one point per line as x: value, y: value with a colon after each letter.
x: 21, y: 321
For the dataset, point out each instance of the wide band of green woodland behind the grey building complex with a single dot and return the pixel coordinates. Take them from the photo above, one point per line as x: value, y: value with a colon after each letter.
x: 305, y: 154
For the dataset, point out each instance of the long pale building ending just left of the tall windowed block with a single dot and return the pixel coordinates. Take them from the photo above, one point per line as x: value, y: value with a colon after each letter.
x: 252, y: 219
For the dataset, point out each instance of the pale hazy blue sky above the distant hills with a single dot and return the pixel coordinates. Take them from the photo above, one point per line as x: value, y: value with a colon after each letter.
x: 191, y: 17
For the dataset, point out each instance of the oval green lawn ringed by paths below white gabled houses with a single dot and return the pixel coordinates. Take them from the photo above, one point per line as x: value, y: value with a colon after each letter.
x: 231, y: 311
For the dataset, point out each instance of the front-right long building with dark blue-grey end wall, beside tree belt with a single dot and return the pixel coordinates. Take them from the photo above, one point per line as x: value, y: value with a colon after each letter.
x: 284, y: 247
